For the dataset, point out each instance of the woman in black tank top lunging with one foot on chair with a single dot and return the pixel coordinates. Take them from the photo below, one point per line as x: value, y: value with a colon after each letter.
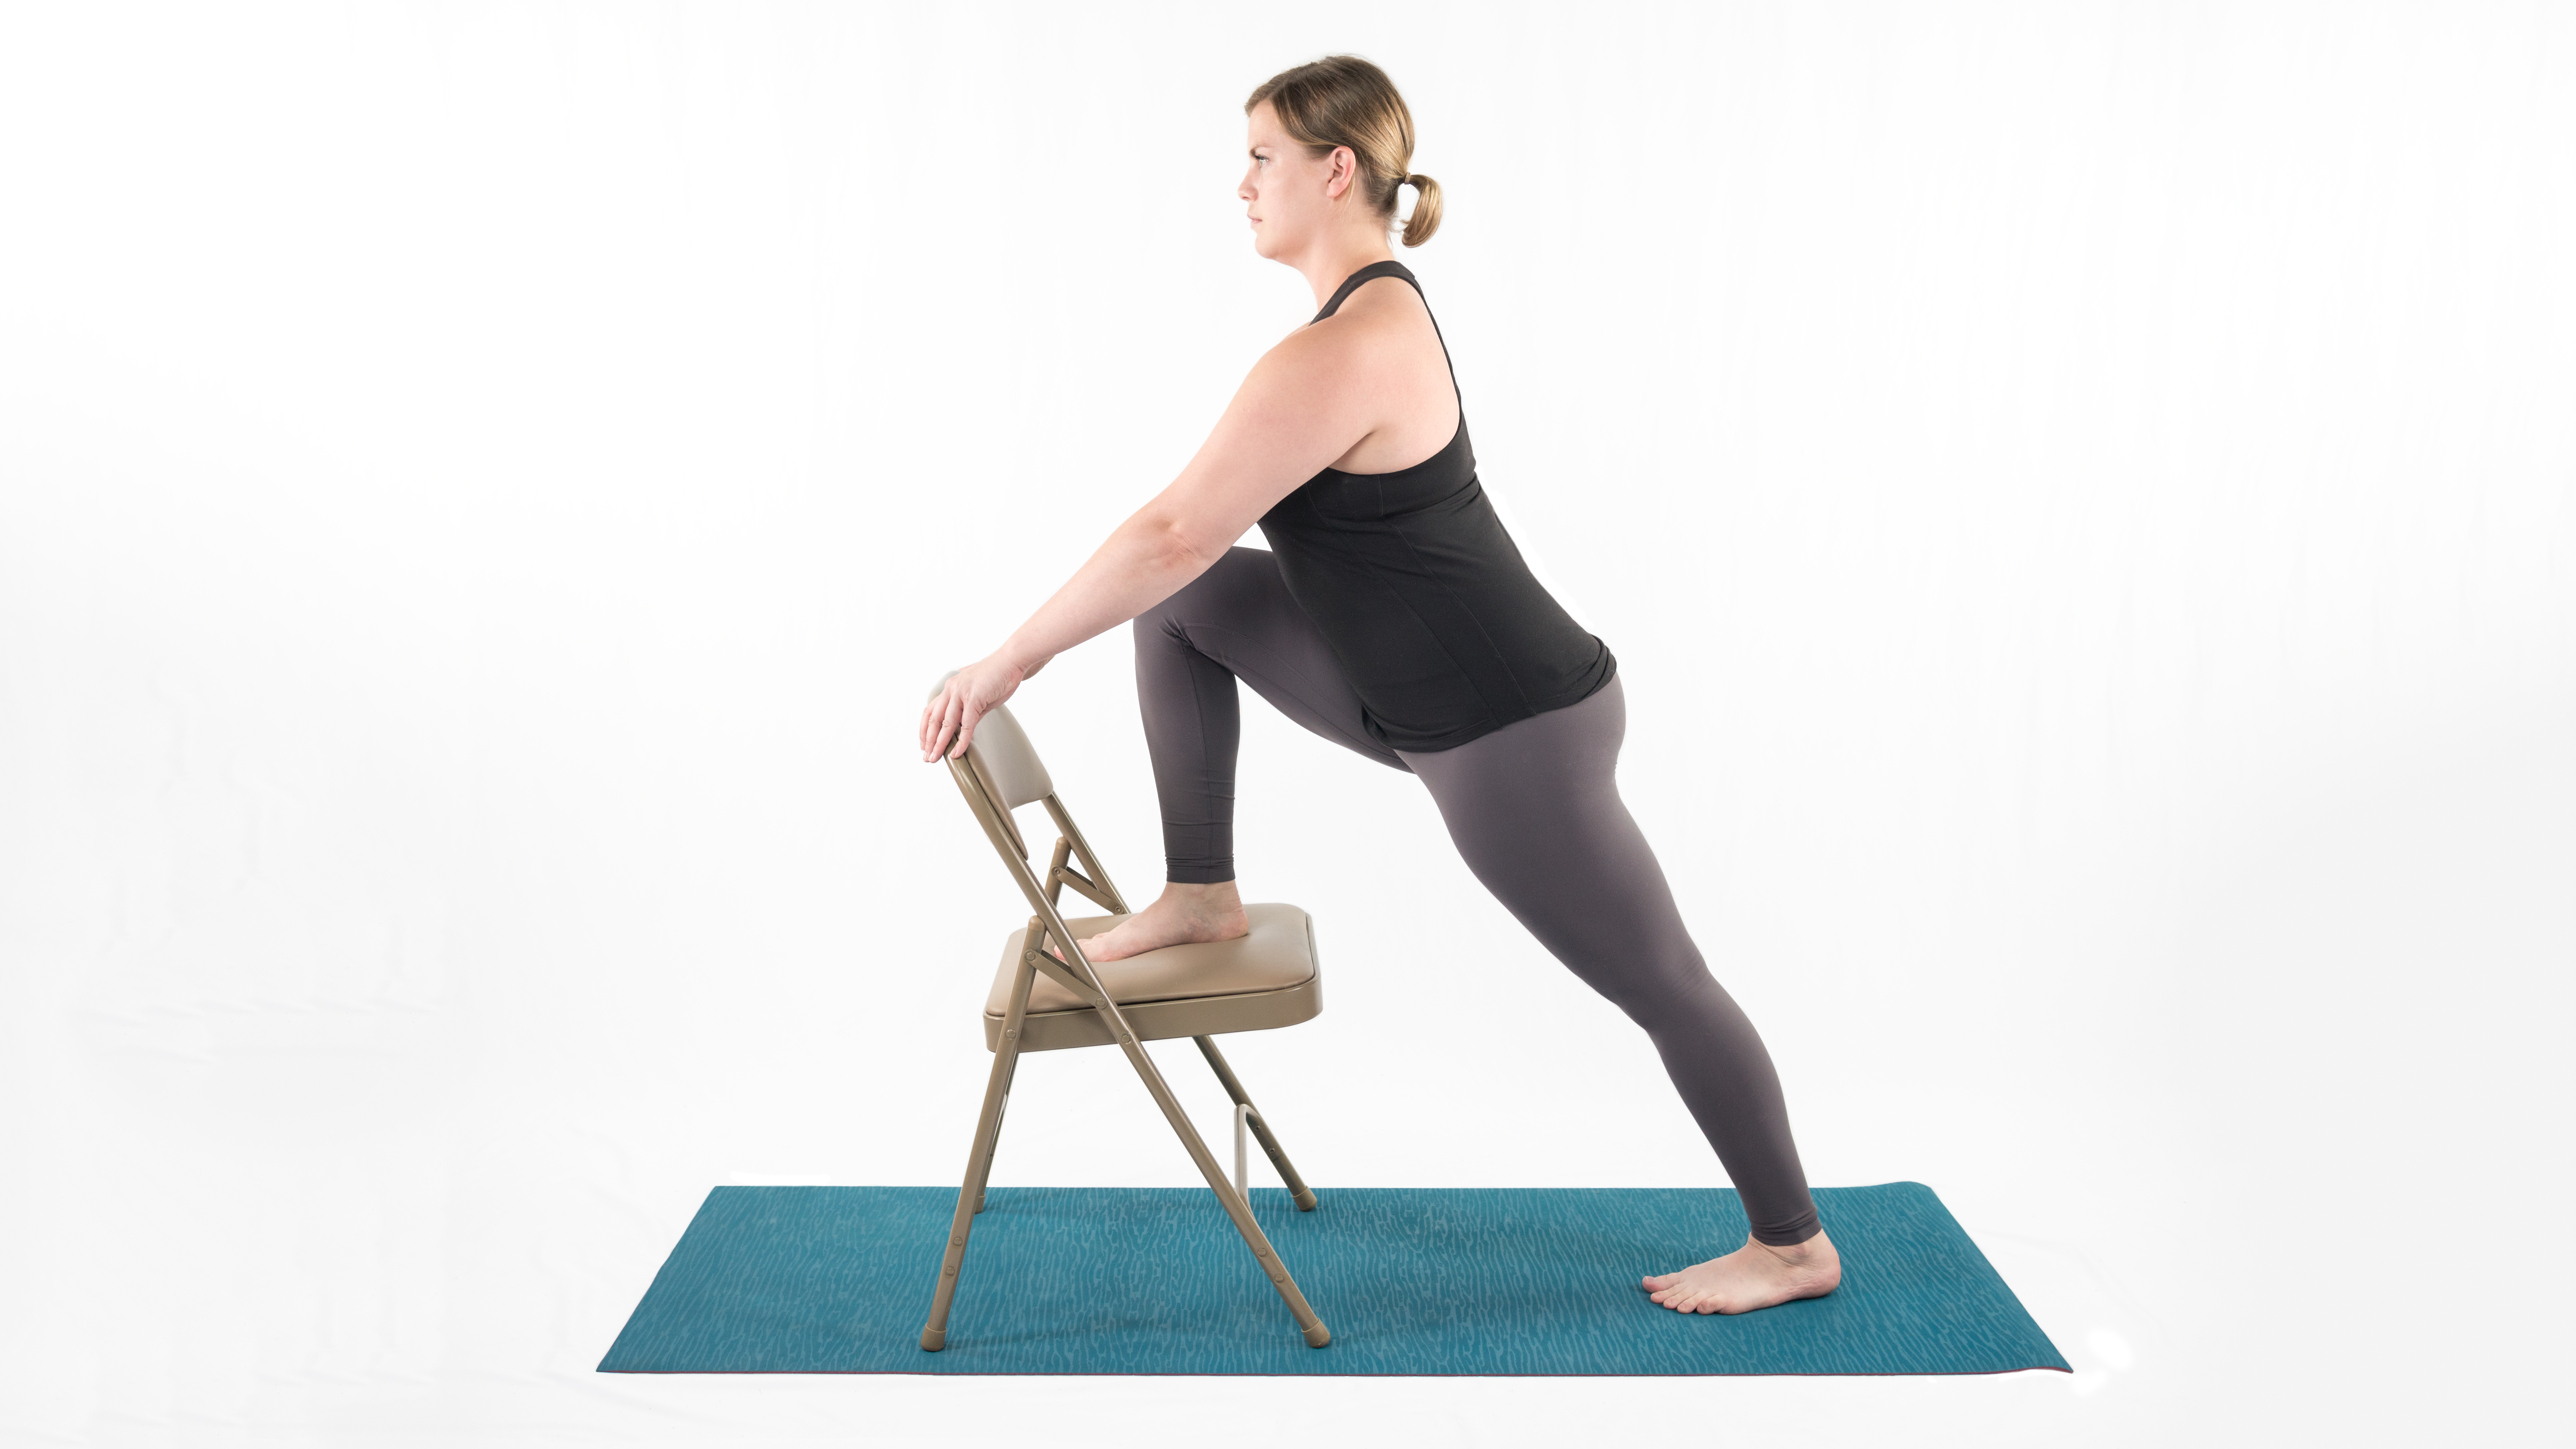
x: 1392, y: 615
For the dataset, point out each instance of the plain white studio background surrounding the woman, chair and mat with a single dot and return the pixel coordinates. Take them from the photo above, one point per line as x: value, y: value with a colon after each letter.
x: 2080, y: 494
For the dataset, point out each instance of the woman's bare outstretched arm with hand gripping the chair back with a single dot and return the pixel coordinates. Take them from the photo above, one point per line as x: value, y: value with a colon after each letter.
x: 1310, y: 401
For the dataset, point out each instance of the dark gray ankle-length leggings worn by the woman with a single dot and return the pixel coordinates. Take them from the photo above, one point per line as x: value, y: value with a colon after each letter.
x: 1534, y: 811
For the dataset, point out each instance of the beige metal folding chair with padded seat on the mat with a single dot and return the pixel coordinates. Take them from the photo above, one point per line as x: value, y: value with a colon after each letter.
x: 1045, y: 1004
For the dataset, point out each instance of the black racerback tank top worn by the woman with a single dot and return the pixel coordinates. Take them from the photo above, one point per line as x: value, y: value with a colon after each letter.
x: 1423, y: 594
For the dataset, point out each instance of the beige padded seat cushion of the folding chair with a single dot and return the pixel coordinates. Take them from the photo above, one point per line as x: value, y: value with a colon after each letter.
x: 1264, y: 978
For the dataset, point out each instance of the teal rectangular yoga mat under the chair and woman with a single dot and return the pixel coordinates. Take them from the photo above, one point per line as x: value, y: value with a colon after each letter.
x: 1410, y: 1283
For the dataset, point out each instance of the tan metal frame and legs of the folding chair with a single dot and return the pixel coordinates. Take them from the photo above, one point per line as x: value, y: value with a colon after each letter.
x: 1075, y: 973
